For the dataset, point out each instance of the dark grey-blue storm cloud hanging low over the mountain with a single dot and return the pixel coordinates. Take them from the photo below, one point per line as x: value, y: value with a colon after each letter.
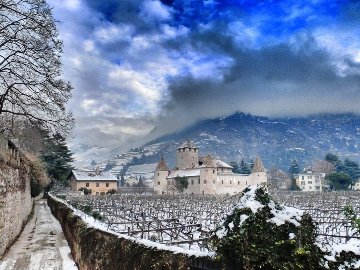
x: 276, y: 80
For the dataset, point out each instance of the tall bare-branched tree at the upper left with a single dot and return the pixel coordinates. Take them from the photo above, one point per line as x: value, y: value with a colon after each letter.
x: 30, y: 51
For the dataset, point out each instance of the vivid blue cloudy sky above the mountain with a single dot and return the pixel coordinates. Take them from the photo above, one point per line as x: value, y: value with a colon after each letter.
x: 151, y: 66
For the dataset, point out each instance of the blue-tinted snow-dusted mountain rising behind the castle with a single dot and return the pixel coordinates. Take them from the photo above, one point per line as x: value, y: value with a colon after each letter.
x: 276, y: 140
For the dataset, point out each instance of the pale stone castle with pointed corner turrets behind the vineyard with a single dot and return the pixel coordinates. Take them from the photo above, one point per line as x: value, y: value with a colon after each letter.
x: 205, y: 175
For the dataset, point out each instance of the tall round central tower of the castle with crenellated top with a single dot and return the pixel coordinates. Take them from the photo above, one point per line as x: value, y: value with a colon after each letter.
x: 187, y: 156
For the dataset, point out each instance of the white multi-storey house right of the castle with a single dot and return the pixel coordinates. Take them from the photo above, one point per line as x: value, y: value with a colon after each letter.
x: 309, y: 180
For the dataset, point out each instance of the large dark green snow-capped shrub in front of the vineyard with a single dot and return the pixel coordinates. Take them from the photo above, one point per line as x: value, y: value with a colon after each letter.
x: 261, y: 234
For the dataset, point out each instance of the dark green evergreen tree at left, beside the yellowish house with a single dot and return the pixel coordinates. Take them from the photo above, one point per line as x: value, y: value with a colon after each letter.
x: 57, y: 157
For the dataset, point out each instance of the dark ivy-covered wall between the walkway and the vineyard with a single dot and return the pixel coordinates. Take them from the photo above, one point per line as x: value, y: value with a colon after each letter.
x: 96, y: 249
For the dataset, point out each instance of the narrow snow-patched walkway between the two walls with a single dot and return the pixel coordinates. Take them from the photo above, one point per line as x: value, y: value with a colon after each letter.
x: 41, y: 246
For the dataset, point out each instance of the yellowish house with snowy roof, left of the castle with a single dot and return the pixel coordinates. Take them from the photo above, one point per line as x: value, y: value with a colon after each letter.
x: 98, y: 182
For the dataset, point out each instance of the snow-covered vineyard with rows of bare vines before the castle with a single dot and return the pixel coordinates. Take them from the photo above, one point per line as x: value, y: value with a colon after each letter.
x: 187, y: 221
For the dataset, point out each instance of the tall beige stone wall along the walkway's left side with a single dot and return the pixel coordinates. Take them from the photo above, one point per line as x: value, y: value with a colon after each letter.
x: 15, y: 198
